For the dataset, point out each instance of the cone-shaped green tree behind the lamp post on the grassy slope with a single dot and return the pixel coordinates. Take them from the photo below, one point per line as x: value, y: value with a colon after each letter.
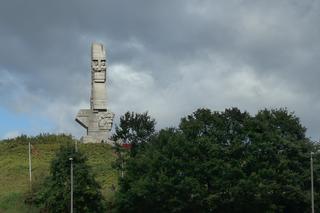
x: 55, y: 193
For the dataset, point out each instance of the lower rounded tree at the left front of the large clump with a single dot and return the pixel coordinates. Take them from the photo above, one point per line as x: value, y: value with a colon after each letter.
x: 162, y: 177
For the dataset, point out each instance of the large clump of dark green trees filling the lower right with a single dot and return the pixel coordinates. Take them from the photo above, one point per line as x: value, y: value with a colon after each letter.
x: 221, y: 162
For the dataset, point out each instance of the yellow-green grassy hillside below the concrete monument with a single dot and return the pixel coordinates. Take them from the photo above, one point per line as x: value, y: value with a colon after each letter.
x: 14, y: 167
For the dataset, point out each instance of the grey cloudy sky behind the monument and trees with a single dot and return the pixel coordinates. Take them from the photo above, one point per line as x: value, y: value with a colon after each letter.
x: 167, y: 57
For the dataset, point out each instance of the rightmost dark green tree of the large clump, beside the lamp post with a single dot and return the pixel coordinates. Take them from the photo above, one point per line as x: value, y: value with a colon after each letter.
x: 277, y: 161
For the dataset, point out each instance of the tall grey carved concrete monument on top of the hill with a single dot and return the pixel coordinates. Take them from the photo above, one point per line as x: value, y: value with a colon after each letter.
x: 98, y: 119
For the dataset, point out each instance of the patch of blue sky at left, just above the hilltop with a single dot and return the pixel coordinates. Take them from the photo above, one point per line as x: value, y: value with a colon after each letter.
x: 16, y: 123
